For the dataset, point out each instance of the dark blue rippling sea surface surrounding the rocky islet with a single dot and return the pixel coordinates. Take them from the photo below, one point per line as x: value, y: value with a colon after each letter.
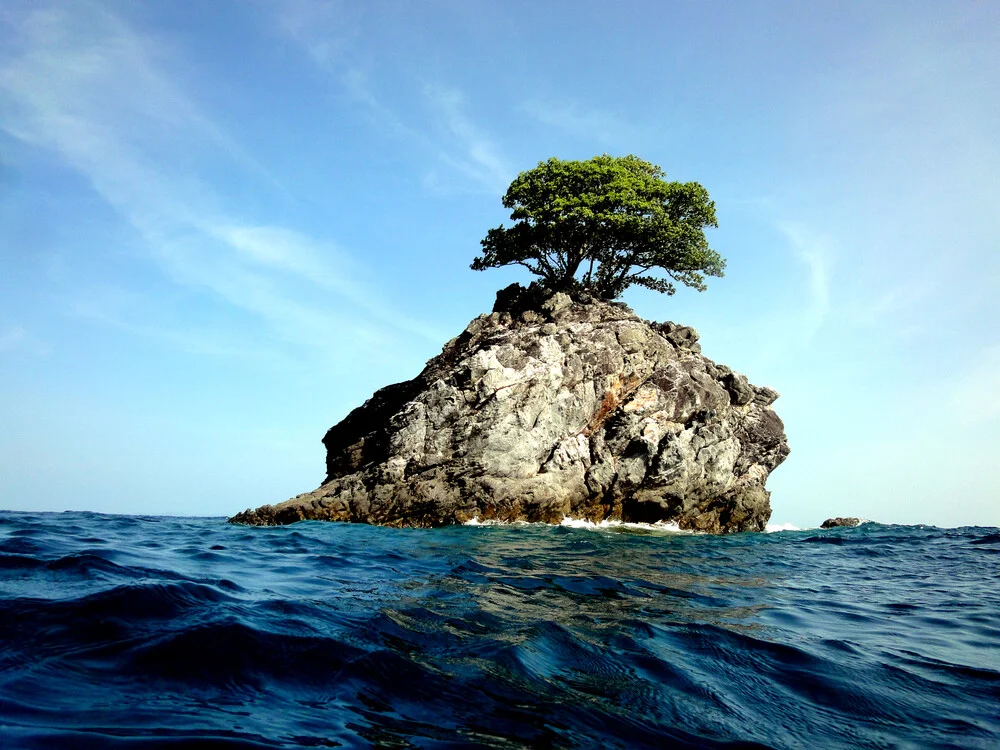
x: 145, y: 632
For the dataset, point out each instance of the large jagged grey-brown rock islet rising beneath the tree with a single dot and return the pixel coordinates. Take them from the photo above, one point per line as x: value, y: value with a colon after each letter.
x: 552, y: 407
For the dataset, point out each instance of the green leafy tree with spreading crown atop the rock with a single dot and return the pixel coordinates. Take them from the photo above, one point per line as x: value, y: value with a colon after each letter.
x: 613, y: 220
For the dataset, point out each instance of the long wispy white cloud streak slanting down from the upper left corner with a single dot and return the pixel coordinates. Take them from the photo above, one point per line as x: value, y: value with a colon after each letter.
x: 84, y: 87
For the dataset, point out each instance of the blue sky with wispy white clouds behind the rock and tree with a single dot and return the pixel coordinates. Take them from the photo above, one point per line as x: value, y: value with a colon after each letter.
x: 224, y: 225
